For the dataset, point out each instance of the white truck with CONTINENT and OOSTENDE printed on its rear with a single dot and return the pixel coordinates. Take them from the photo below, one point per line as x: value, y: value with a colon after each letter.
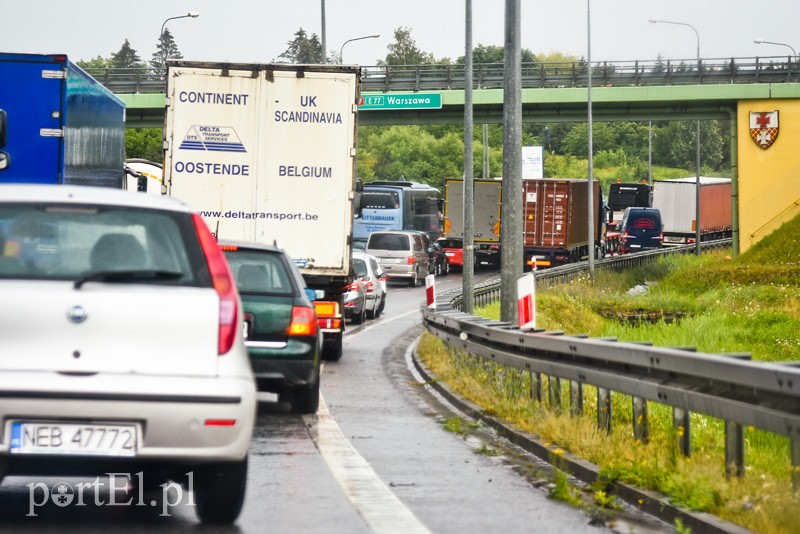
x: 266, y: 153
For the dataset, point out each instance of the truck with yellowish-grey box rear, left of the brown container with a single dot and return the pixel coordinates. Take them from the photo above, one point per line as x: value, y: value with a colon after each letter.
x: 487, y: 203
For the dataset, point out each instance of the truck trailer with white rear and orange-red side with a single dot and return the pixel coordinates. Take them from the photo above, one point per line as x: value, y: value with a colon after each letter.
x: 676, y: 200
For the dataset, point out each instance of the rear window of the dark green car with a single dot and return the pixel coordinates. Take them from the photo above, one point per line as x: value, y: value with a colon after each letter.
x: 258, y: 271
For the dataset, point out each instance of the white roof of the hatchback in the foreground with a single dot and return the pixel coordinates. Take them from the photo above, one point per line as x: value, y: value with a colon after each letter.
x: 80, y: 194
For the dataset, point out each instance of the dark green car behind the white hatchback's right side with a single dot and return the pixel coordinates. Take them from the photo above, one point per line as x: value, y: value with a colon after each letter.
x: 280, y: 325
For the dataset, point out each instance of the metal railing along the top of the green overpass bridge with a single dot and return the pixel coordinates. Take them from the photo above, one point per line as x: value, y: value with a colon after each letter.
x: 386, y: 78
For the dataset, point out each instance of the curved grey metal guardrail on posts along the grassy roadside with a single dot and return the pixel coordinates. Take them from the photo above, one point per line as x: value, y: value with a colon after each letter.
x: 741, y: 392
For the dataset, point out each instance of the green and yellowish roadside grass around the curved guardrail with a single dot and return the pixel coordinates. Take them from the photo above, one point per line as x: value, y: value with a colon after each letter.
x: 747, y: 304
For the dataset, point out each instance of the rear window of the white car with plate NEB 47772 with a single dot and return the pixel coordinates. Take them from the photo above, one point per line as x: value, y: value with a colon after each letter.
x: 70, y: 241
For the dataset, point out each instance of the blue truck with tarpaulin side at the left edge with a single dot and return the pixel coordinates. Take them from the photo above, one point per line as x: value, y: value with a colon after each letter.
x: 58, y: 125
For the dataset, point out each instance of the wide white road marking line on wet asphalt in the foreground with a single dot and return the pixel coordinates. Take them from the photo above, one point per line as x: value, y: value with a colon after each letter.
x: 372, y: 499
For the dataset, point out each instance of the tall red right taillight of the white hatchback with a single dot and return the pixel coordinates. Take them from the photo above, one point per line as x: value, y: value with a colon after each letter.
x: 223, y: 283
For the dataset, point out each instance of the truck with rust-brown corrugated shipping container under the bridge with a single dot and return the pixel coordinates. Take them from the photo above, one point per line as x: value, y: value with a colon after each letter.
x: 555, y: 221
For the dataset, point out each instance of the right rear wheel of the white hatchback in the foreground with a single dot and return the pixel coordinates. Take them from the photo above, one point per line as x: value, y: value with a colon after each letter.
x: 219, y: 491
